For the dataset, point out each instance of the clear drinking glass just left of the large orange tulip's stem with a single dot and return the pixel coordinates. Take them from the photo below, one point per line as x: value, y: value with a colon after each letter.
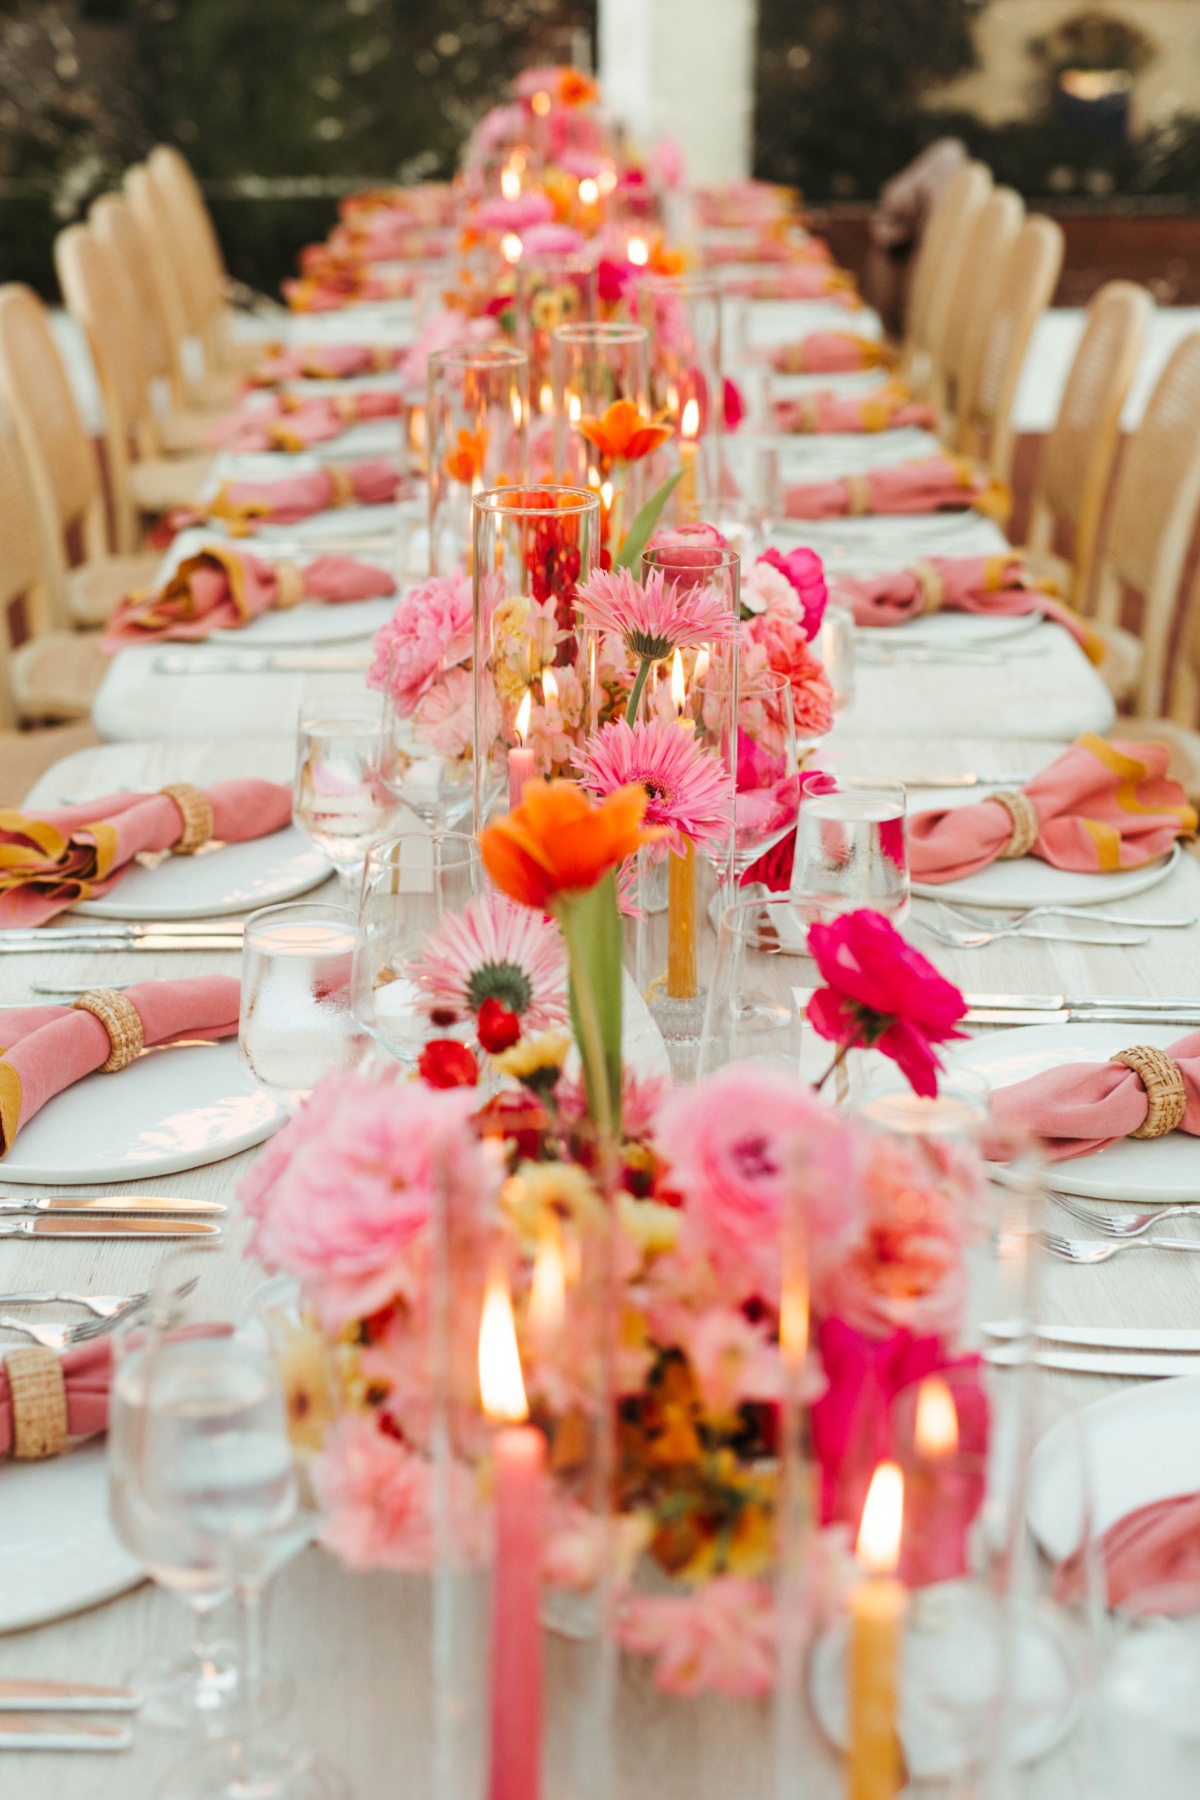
x: 409, y: 885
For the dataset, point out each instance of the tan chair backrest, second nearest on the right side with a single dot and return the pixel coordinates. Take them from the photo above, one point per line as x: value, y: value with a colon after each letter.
x: 1079, y: 454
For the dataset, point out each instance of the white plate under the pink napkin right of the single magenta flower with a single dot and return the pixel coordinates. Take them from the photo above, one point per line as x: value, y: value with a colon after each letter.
x: 1149, y: 1171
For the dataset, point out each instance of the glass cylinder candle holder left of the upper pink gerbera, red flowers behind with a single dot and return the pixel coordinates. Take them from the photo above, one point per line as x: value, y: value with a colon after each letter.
x: 537, y: 667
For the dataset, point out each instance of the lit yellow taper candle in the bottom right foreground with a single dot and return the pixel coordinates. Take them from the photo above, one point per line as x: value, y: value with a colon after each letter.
x: 877, y: 1610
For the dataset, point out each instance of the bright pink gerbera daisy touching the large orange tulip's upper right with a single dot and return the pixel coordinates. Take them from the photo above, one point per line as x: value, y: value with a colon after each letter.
x: 688, y: 786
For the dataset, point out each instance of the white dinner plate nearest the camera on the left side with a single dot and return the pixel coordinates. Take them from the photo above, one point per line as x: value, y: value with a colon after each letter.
x: 58, y: 1552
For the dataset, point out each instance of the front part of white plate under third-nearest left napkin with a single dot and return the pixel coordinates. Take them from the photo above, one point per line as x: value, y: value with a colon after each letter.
x: 233, y: 879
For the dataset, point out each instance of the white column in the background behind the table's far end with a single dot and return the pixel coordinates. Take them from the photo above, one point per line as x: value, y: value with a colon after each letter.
x: 685, y: 69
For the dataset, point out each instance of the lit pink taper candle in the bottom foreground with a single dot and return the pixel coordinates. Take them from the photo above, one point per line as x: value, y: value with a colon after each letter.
x: 519, y: 1466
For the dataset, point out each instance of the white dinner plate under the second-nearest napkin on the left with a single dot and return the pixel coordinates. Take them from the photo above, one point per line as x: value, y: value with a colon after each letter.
x: 168, y: 1111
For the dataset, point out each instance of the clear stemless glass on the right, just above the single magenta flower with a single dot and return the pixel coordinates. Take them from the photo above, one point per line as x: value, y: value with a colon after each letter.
x: 852, y: 850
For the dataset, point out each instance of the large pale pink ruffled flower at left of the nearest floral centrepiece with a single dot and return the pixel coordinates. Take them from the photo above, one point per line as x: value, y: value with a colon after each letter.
x: 345, y: 1194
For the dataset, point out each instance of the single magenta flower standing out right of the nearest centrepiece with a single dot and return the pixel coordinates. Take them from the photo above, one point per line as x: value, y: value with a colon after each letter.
x: 884, y: 994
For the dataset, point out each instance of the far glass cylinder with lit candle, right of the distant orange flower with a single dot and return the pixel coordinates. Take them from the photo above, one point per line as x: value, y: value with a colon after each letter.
x: 683, y: 316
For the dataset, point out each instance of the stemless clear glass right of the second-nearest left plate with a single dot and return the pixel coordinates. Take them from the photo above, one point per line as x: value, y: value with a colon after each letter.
x: 296, y: 996
